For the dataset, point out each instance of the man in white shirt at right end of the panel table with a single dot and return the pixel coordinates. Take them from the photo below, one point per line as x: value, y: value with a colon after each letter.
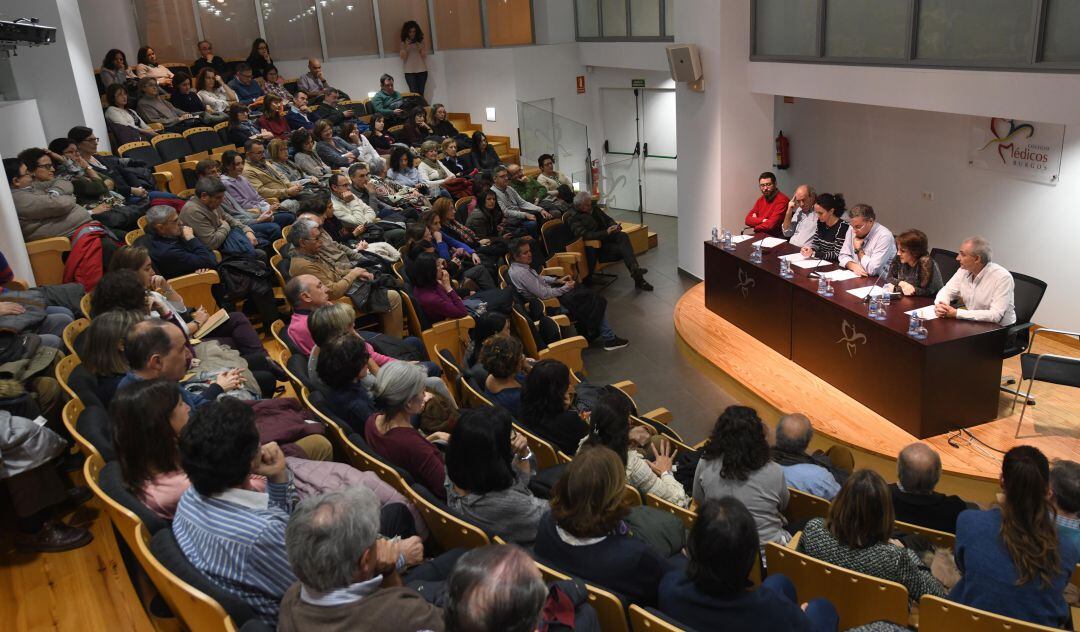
x: 985, y: 288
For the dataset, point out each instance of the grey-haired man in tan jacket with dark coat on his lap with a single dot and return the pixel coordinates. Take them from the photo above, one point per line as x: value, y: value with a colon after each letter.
x: 306, y: 246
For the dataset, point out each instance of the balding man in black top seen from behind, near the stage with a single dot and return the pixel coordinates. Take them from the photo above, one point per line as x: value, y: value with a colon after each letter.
x: 914, y: 500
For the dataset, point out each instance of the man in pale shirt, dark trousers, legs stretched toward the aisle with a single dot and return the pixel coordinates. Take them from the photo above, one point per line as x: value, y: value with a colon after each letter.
x: 586, y: 308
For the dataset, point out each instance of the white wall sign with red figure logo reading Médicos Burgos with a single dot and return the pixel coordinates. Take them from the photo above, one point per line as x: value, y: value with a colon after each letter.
x: 1027, y: 150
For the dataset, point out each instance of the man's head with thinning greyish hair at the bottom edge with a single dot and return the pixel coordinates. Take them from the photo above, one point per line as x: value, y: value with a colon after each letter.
x: 495, y: 588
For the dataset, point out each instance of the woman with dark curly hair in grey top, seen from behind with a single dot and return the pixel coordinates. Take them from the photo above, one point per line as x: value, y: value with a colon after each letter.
x: 736, y: 463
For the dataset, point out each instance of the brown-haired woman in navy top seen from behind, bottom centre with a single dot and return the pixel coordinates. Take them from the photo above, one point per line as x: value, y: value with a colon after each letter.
x: 585, y: 534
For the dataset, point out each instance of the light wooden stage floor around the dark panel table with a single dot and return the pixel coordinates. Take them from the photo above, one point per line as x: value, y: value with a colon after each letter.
x: 1054, y: 425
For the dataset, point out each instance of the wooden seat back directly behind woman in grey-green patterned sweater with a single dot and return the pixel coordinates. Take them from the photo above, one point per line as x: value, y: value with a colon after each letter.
x: 859, y: 599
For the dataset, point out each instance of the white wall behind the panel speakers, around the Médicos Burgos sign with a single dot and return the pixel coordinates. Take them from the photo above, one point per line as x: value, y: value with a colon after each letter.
x: 887, y: 157
